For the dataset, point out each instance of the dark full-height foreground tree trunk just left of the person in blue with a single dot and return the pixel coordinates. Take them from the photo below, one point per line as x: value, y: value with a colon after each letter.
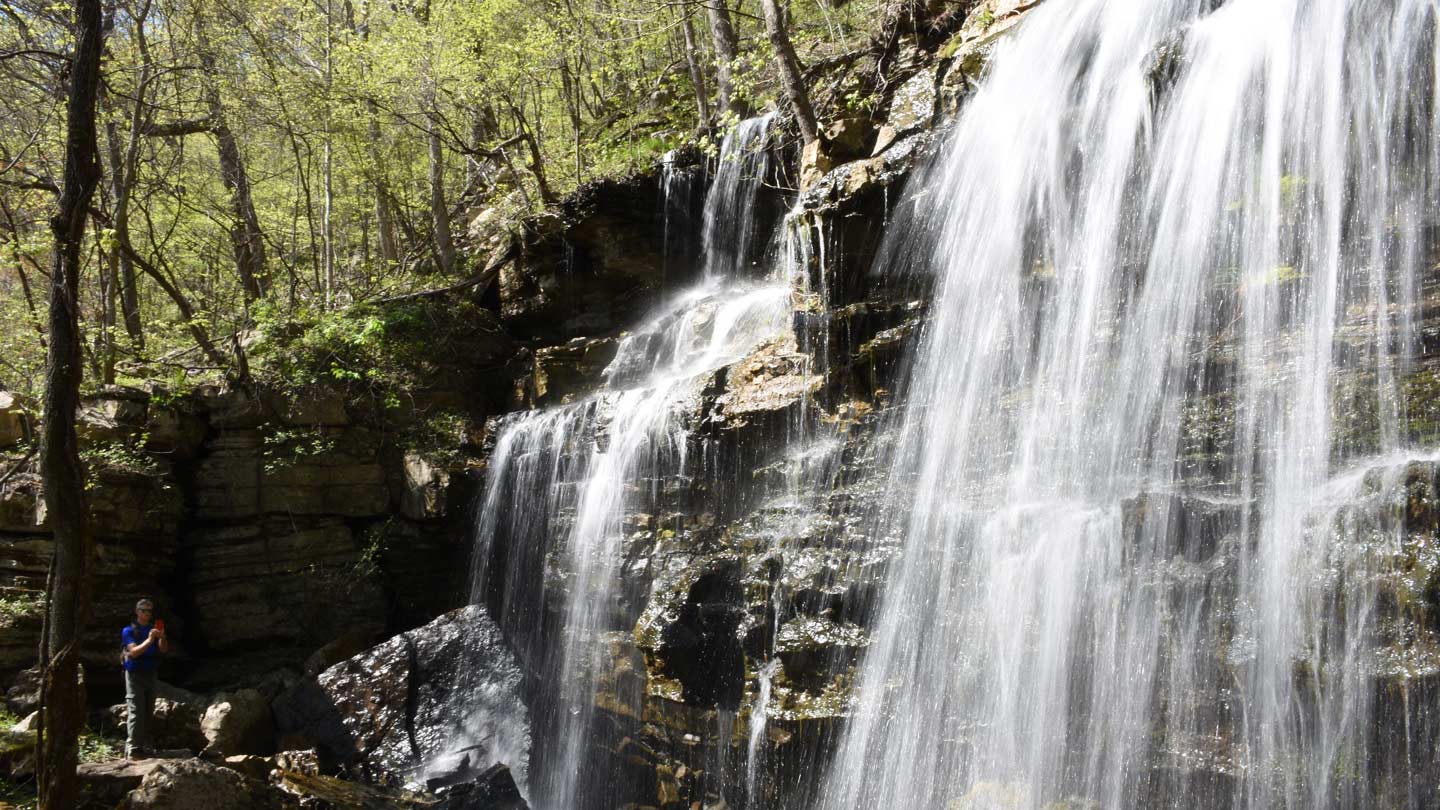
x: 64, y: 706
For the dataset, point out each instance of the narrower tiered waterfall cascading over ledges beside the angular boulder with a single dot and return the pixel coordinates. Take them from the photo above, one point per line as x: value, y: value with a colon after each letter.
x: 568, y: 485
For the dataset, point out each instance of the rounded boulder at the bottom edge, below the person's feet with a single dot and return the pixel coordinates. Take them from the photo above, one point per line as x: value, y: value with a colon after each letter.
x: 185, y: 785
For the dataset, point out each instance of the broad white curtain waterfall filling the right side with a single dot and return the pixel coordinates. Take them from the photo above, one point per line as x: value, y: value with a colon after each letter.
x: 1153, y: 417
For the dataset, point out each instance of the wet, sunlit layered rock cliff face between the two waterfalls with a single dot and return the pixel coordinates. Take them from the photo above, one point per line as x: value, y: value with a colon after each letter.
x: 741, y: 593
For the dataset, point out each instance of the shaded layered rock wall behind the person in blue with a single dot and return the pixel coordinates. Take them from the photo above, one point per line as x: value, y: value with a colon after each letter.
x: 266, y: 524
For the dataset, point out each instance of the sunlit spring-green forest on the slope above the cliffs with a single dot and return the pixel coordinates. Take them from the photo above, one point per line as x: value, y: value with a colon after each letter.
x: 270, y: 165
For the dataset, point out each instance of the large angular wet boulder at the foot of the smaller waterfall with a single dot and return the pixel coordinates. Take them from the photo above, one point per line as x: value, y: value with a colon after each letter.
x: 423, y: 703
